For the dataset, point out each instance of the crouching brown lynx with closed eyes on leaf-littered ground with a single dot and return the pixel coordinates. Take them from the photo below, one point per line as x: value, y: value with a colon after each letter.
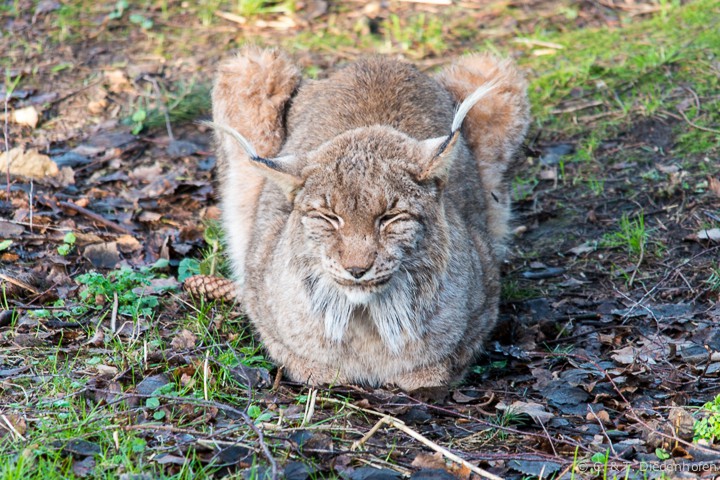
x: 365, y: 215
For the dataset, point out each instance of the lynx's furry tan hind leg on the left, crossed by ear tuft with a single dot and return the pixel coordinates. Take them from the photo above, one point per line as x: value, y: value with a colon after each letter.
x: 250, y: 95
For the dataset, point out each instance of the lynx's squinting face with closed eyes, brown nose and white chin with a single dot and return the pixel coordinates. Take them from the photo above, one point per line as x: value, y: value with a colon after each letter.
x: 364, y: 212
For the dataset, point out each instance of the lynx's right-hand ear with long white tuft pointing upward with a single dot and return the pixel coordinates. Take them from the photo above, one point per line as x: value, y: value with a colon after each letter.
x: 440, y: 150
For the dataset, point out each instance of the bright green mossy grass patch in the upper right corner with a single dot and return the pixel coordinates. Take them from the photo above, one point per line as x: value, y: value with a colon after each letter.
x: 633, y: 70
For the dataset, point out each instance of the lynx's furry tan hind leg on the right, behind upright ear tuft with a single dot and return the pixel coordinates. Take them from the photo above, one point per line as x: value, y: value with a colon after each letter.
x: 494, y: 128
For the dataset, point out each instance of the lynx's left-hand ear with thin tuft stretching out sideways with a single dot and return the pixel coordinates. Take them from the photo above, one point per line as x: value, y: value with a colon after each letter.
x: 281, y: 170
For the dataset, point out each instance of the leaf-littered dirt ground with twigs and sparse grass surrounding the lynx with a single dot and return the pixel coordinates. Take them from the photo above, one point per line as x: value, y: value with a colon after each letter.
x: 608, y: 348
